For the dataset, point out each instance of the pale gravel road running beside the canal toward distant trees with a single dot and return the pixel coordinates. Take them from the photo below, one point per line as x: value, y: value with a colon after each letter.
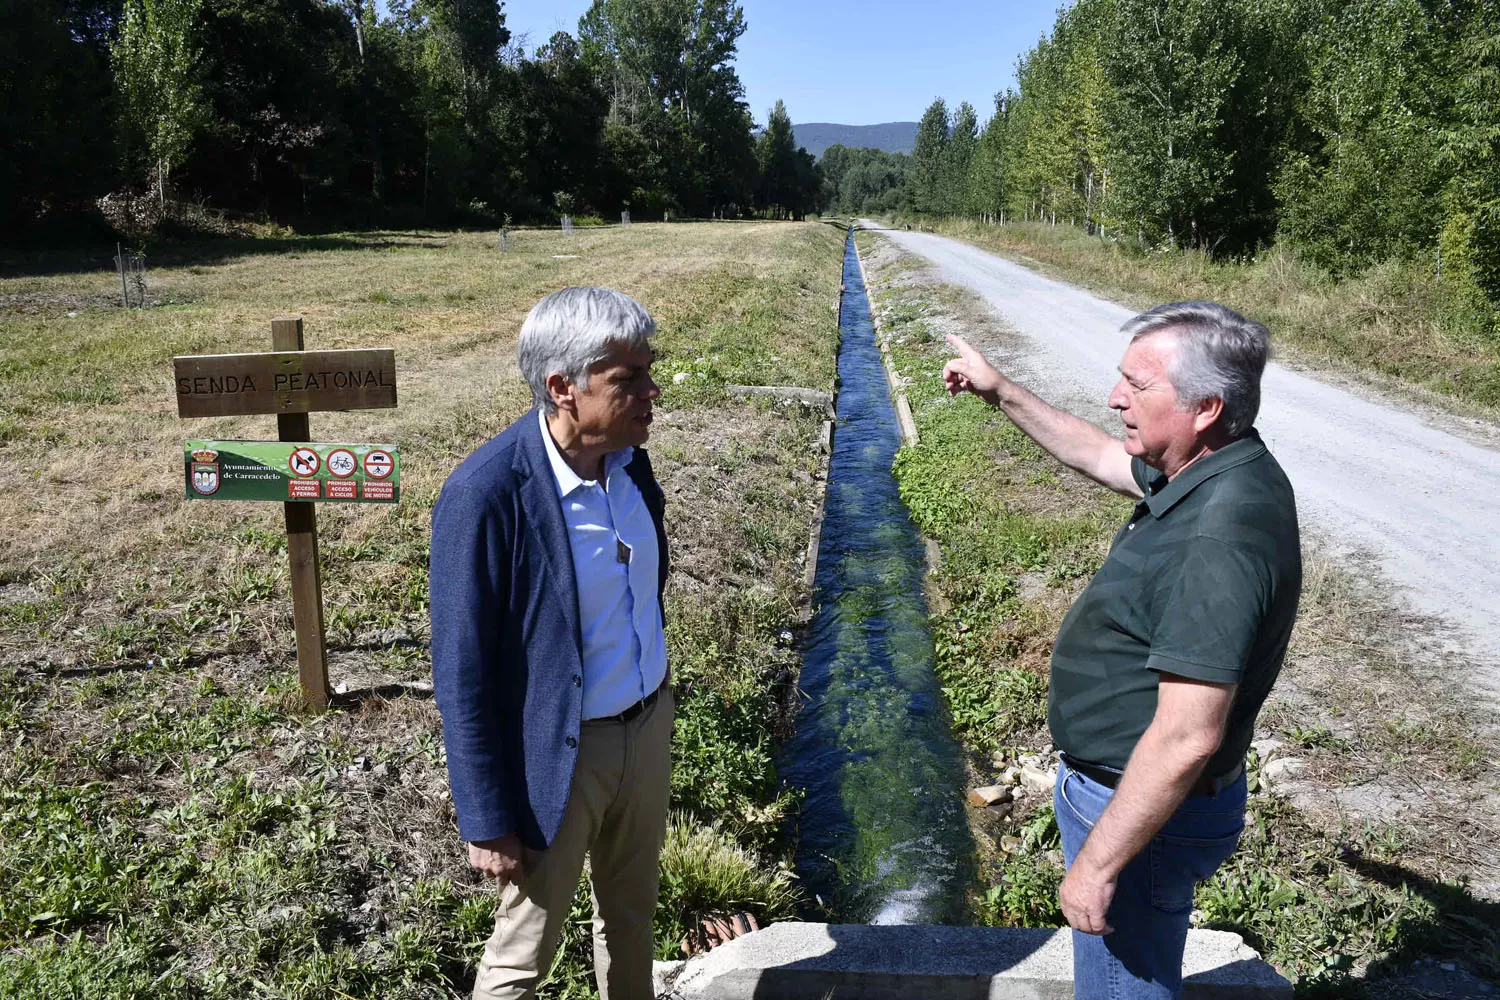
x: 1414, y: 497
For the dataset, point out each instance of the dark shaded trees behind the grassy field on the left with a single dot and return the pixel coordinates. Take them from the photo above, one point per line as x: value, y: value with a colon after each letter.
x: 322, y: 110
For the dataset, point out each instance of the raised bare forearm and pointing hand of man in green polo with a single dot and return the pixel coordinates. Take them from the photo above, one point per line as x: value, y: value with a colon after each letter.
x: 1073, y: 442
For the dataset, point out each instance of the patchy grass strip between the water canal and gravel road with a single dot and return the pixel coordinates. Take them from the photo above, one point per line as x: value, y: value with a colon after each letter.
x: 1325, y: 900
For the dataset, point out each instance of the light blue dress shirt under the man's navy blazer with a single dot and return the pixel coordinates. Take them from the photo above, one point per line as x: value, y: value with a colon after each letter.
x: 625, y: 651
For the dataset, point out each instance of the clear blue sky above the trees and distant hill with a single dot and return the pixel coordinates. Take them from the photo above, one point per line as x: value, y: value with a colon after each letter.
x: 857, y: 62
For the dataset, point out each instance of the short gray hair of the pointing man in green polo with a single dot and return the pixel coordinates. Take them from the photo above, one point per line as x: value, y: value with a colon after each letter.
x: 1220, y: 356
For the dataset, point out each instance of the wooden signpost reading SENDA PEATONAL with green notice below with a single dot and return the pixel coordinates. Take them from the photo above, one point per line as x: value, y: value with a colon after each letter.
x: 292, y: 383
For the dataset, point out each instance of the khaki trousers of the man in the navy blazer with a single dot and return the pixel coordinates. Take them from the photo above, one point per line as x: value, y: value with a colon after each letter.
x: 617, y: 816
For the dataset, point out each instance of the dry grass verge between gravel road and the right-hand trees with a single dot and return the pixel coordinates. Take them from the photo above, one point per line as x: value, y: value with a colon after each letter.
x: 1397, y: 320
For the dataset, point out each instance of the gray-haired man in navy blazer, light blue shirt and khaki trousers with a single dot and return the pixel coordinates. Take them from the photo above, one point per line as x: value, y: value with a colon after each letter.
x: 548, y: 656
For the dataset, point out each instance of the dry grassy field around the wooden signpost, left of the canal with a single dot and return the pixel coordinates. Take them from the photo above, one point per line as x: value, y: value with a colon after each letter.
x: 172, y: 822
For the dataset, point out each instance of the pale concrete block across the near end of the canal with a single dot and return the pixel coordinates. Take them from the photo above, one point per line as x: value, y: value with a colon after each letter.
x: 821, y: 962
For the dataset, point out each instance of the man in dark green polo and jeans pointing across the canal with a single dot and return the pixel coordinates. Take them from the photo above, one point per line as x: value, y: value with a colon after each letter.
x: 1168, y: 656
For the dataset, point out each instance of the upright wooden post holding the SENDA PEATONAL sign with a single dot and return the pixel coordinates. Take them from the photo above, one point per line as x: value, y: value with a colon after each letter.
x: 302, y: 548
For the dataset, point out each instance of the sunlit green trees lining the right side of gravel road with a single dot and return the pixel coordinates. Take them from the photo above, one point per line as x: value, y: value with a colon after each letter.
x: 1354, y: 131
